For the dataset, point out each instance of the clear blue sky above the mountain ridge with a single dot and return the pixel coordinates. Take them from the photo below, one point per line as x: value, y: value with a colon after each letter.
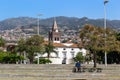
x: 93, y: 9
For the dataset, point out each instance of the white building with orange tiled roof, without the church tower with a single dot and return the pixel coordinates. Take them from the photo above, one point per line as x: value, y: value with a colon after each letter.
x: 66, y: 52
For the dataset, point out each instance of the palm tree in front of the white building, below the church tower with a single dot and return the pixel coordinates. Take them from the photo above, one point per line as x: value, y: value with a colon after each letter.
x: 49, y: 48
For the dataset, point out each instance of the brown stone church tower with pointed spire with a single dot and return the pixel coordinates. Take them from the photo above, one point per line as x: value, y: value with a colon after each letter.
x: 54, y: 34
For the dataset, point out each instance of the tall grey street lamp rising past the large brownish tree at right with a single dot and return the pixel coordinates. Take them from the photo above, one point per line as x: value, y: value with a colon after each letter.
x: 105, y: 1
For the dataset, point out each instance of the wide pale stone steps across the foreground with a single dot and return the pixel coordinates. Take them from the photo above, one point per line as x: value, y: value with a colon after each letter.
x: 55, y: 72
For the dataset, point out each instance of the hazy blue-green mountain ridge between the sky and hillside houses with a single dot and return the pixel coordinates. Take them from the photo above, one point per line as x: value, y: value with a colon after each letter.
x: 63, y: 22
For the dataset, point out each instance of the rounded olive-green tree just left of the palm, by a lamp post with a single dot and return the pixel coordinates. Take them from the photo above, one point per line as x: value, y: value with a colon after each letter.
x: 34, y: 45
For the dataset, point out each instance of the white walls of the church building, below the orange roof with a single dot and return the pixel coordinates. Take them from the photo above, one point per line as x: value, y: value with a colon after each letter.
x: 62, y: 52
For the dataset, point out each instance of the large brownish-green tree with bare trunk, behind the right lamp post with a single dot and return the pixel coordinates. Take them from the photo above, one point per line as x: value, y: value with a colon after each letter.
x: 95, y: 40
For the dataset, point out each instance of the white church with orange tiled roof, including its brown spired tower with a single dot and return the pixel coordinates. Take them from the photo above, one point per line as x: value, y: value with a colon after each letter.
x: 65, y: 51
